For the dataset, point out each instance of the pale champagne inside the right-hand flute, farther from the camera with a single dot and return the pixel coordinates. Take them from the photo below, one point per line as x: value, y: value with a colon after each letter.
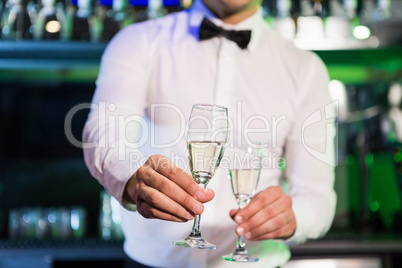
x: 244, y: 183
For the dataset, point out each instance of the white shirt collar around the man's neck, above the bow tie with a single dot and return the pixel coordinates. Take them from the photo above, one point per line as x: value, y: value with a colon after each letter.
x: 254, y: 23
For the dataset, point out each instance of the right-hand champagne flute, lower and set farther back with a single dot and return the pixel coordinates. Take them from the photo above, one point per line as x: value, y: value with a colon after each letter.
x: 244, y: 174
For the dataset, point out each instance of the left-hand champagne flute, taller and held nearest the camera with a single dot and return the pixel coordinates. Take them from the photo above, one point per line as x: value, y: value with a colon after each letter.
x: 207, y: 134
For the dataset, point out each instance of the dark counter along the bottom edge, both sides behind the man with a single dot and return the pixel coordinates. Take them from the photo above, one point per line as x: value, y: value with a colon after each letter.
x: 335, y: 250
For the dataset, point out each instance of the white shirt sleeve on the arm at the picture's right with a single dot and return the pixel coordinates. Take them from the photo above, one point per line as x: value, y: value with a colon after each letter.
x: 310, y: 155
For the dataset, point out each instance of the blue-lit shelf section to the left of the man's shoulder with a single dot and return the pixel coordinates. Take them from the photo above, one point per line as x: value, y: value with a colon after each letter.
x: 49, y: 61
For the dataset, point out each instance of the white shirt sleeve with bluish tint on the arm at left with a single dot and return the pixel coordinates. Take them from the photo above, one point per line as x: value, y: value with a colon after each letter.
x: 112, y: 135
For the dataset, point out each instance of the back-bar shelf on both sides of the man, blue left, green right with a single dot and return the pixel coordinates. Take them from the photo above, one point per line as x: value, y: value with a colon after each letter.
x: 47, y: 61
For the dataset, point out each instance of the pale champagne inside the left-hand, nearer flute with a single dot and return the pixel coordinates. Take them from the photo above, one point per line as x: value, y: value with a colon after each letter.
x: 204, y: 158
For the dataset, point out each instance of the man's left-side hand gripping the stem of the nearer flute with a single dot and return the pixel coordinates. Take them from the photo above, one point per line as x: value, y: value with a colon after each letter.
x: 162, y: 190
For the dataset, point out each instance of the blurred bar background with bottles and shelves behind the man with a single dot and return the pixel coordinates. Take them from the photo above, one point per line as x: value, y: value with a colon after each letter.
x: 52, y: 211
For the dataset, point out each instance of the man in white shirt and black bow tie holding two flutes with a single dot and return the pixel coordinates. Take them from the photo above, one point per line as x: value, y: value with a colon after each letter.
x: 151, y: 74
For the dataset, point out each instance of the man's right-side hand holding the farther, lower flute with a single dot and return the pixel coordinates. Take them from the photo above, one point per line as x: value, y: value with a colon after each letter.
x: 269, y: 215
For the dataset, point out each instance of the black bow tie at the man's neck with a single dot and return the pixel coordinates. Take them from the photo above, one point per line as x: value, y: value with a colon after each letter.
x: 209, y: 30
